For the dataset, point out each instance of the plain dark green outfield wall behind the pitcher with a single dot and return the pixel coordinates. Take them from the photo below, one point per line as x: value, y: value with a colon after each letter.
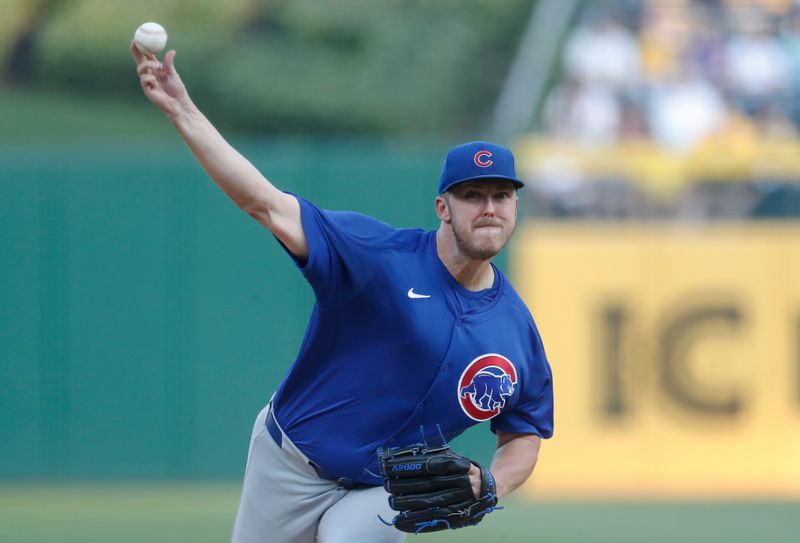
x: 144, y: 319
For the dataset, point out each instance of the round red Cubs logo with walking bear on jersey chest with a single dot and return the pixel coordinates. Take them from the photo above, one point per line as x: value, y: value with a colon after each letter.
x: 485, y: 385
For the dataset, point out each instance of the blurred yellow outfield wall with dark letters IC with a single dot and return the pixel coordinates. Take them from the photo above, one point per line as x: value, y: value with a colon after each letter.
x: 676, y: 357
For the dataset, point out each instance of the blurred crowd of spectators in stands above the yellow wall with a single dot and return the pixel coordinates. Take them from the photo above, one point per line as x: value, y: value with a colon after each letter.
x: 682, y: 73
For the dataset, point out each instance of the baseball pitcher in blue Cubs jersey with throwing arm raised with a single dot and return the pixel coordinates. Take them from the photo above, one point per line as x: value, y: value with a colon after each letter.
x: 414, y: 337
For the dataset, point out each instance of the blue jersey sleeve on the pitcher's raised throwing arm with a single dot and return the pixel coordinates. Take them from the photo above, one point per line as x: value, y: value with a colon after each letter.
x: 342, y: 251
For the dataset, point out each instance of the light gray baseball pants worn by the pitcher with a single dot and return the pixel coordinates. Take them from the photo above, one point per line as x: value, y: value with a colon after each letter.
x: 285, y: 501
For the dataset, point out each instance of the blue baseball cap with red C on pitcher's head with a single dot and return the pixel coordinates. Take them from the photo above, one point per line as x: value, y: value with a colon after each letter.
x: 477, y: 160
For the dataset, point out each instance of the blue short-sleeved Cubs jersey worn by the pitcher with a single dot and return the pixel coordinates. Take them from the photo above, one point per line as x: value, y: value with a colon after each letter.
x: 394, y: 343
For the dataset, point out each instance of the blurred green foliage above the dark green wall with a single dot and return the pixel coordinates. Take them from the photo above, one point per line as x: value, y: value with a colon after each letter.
x: 388, y: 66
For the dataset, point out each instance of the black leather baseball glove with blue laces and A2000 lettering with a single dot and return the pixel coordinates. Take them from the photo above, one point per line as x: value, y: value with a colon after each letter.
x: 431, y: 489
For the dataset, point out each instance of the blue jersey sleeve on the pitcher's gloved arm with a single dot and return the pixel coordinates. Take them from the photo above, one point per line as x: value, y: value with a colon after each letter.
x: 533, y: 411
